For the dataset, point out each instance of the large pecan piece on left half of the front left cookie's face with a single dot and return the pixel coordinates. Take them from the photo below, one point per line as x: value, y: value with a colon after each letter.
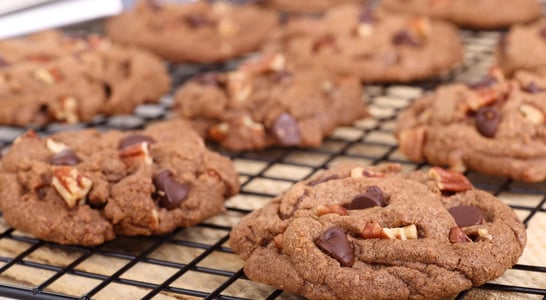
x: 71, y: 185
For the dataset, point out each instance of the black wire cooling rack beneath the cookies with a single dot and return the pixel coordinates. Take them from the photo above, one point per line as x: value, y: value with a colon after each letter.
x: 196, y: 262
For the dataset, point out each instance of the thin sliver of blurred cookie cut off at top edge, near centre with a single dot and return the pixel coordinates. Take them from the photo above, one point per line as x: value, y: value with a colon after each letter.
x: 309, y: 6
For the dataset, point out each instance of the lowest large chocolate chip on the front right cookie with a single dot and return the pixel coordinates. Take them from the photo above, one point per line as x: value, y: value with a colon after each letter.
x: 334, y: 242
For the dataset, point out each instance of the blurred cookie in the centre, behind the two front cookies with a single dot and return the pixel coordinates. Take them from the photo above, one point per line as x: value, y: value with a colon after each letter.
x: 266, y: 103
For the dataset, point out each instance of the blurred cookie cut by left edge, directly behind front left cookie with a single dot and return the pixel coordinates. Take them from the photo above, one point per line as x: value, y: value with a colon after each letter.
x: 51, y: 77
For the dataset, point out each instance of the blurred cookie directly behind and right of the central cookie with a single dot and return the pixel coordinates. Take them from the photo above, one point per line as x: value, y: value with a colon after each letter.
x: 372, y: 45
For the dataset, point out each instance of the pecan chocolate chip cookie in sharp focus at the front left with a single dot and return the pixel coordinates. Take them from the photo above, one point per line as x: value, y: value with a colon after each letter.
x: 86, y: 187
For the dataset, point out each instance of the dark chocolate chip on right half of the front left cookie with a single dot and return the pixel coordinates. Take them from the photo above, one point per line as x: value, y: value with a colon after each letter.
x: 169, y: 192
